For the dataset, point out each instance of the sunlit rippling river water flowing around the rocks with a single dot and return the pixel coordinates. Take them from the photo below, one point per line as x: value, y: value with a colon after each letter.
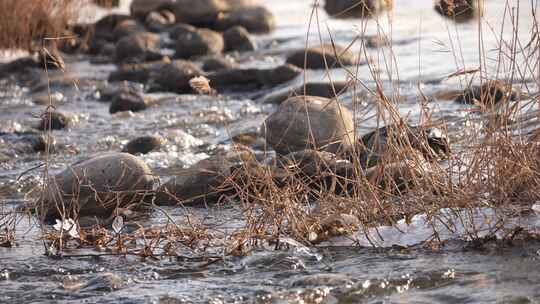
x: 426, y: 49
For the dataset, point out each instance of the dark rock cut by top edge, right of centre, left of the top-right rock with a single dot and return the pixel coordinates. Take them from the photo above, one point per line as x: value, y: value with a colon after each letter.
x: 356, y: 8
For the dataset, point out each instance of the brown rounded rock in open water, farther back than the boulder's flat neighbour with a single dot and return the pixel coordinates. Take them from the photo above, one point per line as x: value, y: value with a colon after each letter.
x: 316, y: 57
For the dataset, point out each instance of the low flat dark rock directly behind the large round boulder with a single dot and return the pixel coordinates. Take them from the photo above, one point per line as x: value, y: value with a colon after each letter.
x: 320, y: 89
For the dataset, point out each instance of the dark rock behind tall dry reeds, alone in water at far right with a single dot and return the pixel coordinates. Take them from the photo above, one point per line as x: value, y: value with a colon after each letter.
x: 491, y: 92
